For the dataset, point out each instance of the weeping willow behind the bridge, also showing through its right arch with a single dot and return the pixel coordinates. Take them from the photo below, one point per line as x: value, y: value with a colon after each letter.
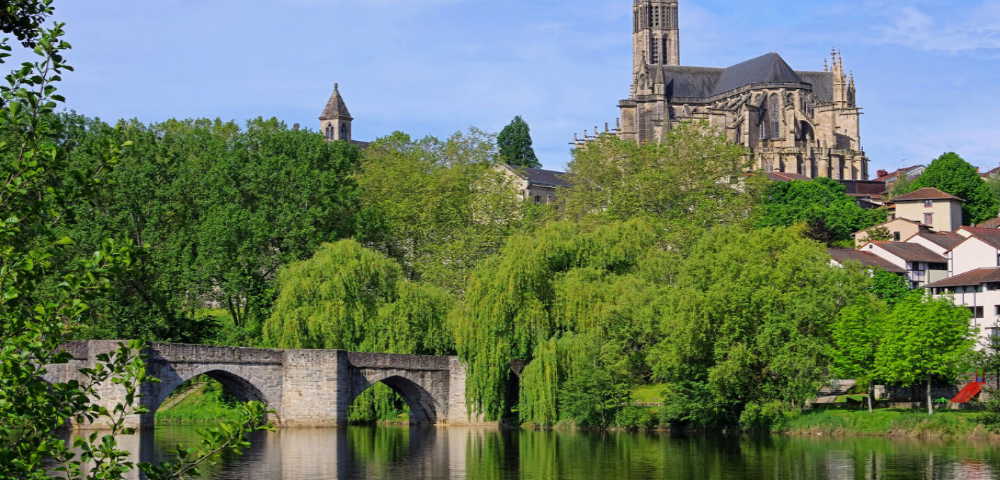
x: 348, y: 297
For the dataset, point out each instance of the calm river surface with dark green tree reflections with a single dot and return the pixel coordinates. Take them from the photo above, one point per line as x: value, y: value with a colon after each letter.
x: 401, y: 453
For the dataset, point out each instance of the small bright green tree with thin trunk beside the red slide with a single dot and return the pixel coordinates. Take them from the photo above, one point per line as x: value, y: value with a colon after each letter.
x: 924, y: 338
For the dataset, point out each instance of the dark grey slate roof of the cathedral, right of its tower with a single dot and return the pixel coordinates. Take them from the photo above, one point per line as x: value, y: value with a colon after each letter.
x: 704, y: 82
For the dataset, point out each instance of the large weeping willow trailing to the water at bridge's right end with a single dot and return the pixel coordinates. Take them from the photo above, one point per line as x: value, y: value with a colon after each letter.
x: 569, y: 278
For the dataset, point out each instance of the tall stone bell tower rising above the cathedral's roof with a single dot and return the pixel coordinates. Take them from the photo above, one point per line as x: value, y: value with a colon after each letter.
x: 655, y: 36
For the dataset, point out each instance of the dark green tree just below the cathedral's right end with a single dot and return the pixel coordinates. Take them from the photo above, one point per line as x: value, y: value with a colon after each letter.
x: 822, y: 204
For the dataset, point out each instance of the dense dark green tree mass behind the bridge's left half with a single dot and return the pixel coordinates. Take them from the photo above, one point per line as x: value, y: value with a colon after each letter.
x: 221, y: 208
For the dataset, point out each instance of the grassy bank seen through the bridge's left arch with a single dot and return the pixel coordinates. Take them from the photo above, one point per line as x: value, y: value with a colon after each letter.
x: 201, y: 402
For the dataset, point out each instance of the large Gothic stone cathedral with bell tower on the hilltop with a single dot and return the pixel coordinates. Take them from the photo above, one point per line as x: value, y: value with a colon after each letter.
x: 803, y: 122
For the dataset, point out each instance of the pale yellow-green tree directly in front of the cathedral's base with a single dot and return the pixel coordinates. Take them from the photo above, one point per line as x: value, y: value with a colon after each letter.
x: 694, y: 179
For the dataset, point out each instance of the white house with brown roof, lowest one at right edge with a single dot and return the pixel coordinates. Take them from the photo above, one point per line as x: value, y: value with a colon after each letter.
x: 979, y: 290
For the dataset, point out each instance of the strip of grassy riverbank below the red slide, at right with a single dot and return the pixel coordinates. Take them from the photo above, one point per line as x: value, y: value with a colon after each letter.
x: 888, y: 422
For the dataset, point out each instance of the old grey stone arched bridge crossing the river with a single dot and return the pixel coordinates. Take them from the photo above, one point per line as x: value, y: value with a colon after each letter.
x: 305, y: 388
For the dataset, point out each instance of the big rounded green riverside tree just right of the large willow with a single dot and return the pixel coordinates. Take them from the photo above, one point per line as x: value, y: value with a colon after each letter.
x: 746, y: 329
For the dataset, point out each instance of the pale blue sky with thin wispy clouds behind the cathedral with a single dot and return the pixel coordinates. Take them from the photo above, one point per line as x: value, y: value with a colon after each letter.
x: 927, y: 71
